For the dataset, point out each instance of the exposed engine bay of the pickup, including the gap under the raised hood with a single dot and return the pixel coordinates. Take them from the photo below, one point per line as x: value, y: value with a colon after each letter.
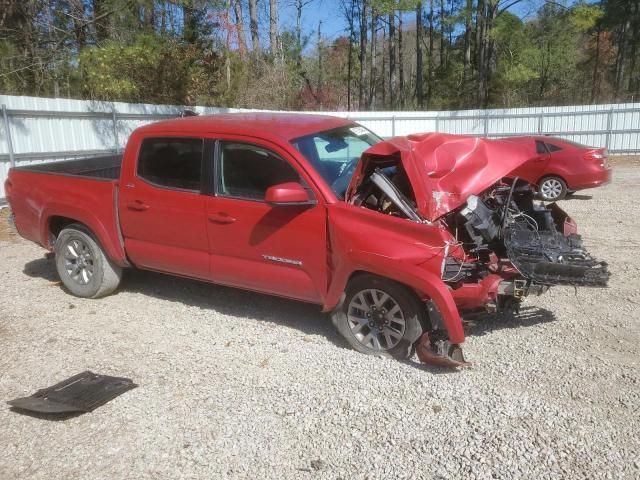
x: 503, y: 231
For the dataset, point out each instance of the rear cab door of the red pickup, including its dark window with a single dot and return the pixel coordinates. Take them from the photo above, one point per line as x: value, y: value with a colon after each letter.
x: 162, y: 208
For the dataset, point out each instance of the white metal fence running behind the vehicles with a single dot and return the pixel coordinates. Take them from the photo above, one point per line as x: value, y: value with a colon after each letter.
x: 33, y: 130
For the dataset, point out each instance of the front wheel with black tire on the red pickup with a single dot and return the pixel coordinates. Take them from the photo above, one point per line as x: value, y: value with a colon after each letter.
x: 413, y: 314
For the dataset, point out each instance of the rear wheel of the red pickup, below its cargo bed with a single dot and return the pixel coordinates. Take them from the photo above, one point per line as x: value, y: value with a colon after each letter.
x: 82, y: 265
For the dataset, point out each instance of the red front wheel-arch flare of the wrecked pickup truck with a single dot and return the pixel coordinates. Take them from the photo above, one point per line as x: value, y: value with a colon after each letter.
x: 425, y: 283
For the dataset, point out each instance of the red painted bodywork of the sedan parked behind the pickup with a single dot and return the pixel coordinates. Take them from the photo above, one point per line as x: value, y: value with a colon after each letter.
x: 579, y: 166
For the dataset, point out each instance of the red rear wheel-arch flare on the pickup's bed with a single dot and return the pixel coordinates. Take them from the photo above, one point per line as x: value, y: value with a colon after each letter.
x: 107, y: 236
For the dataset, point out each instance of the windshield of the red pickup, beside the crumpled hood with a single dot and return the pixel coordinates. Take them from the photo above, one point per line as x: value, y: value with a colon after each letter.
x: 335, y: 153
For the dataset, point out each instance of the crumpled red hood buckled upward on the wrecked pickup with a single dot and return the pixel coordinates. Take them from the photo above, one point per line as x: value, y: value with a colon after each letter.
x: 443, y: 169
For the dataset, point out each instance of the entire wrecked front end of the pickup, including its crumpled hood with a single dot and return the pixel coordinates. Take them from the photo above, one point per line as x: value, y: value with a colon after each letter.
x: 504, y: 245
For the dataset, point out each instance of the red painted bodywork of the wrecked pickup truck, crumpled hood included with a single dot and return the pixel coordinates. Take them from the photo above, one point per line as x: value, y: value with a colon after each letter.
x: 307, y: 249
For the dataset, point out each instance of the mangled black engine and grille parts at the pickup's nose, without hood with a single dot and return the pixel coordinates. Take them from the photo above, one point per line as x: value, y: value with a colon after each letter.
x: 531, y: 244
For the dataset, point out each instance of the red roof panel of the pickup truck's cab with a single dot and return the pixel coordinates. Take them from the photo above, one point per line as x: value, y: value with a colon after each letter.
x: 284, y: 126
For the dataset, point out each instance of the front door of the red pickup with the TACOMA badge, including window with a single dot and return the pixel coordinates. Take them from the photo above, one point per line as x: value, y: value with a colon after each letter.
x: 279, y: 250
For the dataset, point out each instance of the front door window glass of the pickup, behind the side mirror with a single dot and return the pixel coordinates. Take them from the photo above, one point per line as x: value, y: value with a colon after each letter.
x: 247, y: 171
